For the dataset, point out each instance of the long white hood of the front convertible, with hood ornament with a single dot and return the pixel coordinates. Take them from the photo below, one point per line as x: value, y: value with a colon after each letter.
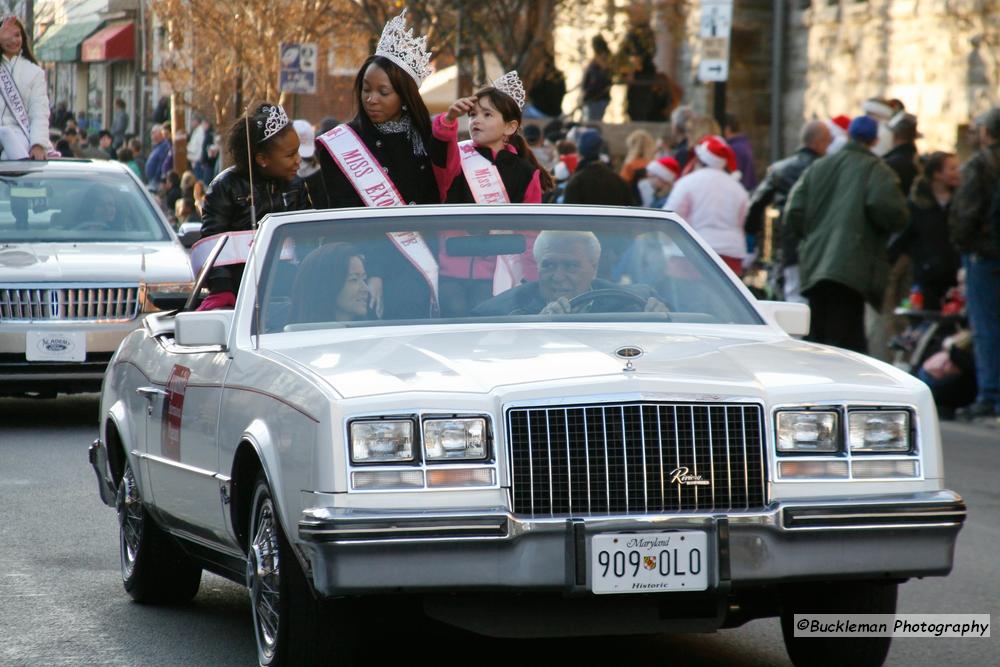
x: 482, y: 361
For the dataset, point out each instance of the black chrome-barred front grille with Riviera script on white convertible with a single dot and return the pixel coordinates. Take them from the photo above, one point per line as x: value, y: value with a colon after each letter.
x: 630, y: 458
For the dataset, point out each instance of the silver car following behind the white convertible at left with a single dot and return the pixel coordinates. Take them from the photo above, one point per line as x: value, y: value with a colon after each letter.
x: 84, y: 252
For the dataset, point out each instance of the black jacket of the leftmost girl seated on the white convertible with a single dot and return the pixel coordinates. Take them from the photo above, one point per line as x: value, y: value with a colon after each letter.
x: 227, y: 201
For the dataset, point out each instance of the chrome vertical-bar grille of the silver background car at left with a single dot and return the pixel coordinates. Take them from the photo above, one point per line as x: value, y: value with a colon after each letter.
x: 31, y: 303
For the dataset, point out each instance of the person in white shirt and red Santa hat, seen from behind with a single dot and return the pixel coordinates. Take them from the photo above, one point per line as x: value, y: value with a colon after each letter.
x: 712, y: 200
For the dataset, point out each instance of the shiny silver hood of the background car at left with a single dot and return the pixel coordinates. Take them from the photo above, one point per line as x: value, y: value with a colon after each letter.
x: 94, y: 262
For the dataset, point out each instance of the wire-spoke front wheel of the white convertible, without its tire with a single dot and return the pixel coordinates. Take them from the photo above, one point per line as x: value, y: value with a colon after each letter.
x: 264, y: 578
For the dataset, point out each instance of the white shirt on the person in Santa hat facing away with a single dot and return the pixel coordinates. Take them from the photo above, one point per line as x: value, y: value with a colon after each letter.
x: 715, y: 205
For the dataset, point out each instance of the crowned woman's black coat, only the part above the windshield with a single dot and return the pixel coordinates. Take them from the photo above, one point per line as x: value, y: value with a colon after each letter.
x: 412, y: 175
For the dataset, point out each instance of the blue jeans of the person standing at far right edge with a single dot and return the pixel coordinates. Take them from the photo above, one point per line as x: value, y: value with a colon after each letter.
x: 982, y: 287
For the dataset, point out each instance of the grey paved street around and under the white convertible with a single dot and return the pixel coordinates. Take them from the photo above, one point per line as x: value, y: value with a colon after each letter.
x: 62, y: 603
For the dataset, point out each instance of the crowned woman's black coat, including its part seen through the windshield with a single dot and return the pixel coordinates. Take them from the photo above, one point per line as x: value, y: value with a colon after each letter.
x: 406, y: 295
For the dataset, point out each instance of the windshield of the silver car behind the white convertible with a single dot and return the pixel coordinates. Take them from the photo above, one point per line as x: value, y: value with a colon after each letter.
x: 85, y: 207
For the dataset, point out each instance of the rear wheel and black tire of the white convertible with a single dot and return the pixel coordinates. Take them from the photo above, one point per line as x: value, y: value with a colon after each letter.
x: 154, y: 570
